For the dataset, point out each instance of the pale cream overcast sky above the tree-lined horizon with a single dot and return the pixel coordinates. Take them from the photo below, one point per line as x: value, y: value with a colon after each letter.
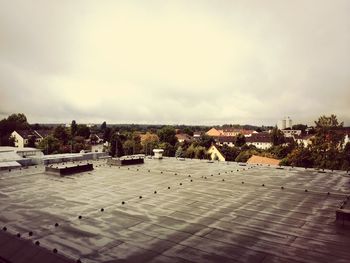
x: 175, y: 62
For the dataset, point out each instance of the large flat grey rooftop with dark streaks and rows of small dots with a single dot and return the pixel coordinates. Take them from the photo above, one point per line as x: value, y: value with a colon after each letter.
x: 174, y: 211
